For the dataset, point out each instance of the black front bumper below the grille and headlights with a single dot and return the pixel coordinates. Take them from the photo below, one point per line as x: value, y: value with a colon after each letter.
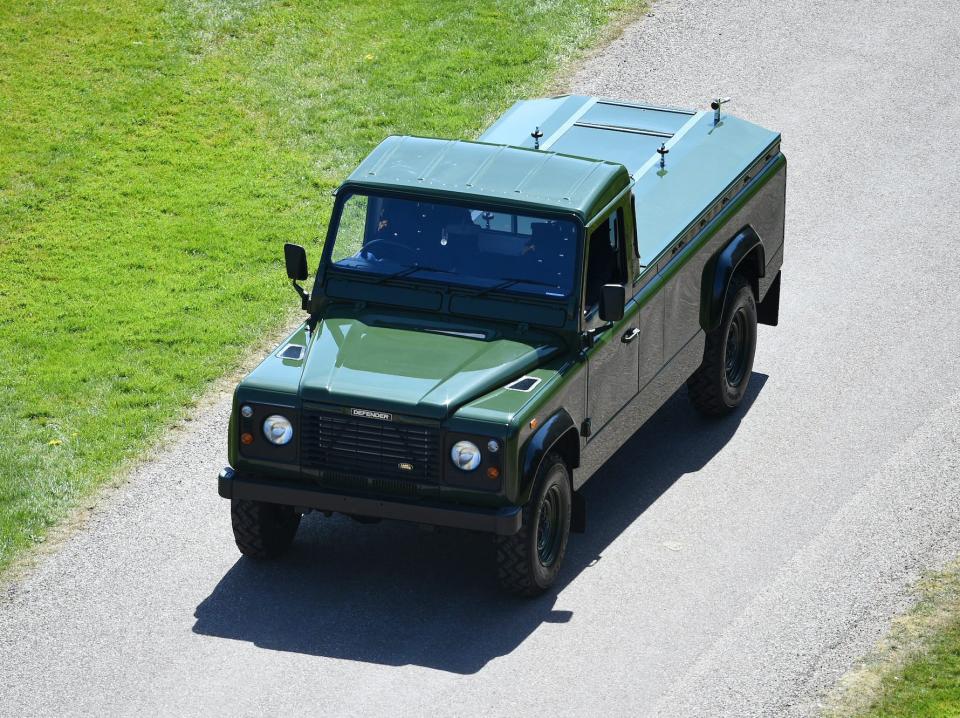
x: 498, y: 521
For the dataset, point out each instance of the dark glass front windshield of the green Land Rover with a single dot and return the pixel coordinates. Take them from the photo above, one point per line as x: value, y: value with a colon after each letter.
x: 491, y: 251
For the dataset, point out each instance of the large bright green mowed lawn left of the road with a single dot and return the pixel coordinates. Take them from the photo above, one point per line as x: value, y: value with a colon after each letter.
x: 153, y: 159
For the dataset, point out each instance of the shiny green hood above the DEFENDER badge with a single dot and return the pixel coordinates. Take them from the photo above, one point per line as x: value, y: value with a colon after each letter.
x: 410, y: 370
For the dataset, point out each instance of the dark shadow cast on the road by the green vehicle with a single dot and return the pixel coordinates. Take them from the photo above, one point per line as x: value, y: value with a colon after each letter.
x: 394, y: 594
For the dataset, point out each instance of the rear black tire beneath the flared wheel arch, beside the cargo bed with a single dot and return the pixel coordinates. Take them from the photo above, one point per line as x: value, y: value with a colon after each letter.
x: 718, y: 386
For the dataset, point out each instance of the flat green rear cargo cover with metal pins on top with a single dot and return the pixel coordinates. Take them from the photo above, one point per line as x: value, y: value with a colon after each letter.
x: 704, y: 161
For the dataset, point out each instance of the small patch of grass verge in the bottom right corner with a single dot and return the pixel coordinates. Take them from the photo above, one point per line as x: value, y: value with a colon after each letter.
x: 915, y: 671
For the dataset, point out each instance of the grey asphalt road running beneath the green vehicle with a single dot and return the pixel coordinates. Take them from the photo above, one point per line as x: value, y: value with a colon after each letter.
x: 731, y: 568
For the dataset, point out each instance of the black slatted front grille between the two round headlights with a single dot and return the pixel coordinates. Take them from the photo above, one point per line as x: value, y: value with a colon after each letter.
x: 355, y: 446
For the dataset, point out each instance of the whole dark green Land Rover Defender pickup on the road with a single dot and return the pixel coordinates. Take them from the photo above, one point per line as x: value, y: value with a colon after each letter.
x: 491, y: 320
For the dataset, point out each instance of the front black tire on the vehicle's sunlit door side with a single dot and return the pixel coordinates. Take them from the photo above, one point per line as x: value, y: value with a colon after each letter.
x: 529, y: 562
